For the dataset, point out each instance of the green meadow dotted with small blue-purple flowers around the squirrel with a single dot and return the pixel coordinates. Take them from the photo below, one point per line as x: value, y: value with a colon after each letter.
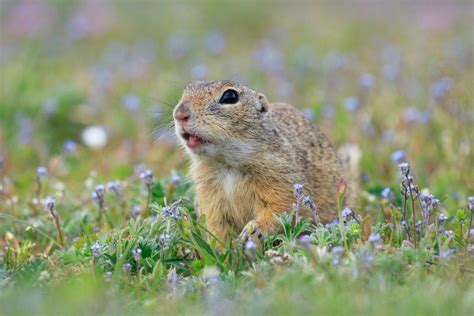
x: 97, y: 211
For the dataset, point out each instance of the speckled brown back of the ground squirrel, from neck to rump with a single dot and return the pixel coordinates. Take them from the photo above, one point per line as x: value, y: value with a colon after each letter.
x: 319, y: 167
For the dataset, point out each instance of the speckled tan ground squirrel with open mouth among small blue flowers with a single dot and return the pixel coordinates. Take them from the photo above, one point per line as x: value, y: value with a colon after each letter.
x: 247, y: 154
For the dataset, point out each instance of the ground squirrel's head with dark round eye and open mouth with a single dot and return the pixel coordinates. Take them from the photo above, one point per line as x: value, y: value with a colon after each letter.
x: 220, y: 119
